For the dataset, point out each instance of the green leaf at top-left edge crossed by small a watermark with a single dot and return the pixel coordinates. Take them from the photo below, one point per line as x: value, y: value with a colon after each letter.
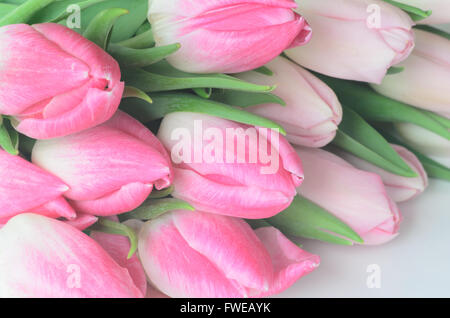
x: 57, y: 11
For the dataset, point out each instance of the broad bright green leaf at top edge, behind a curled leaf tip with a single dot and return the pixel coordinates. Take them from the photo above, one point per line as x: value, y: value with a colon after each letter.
x: 126, y: 25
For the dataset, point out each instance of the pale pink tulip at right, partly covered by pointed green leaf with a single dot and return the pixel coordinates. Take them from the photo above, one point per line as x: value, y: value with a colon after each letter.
x: 398, y: 188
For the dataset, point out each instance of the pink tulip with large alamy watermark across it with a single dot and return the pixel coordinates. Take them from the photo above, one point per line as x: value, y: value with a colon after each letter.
x: 223, y: 167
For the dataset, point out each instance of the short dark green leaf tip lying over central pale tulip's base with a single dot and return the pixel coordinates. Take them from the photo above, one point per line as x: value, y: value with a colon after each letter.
x: 245, y: 99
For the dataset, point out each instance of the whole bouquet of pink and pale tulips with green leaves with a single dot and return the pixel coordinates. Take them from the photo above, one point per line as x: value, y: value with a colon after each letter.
x: 183, y: 148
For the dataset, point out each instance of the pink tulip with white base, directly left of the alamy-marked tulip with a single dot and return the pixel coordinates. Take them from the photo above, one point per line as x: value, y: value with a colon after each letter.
x: 110, y: 169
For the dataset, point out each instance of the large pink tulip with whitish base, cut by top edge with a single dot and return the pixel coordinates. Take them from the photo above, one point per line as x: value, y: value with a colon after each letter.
x: 226, y: 36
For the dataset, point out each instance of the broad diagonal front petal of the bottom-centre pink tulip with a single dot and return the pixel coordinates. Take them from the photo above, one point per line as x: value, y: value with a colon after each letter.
x: 230, y: 244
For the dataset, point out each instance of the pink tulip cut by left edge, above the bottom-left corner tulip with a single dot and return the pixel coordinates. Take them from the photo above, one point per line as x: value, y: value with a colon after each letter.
x: 25, y: 187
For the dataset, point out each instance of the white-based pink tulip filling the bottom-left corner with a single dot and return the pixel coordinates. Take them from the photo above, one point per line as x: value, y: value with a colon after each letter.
x: 43, y: 257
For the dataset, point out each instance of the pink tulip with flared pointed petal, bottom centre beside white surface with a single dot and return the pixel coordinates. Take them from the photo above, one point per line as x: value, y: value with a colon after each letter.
x: 195, y: 254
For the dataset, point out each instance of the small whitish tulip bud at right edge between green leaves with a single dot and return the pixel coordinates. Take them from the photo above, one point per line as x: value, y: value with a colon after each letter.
x: 424, y: 141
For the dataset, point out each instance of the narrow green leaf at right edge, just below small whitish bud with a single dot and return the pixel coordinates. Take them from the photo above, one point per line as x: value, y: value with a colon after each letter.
x: 433, y: 168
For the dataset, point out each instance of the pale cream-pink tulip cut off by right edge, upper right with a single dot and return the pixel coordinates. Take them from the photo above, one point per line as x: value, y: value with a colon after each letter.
x: 425, y: 80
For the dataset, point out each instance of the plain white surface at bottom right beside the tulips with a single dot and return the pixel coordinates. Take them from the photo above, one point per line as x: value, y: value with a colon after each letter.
x: 415, y: 264
